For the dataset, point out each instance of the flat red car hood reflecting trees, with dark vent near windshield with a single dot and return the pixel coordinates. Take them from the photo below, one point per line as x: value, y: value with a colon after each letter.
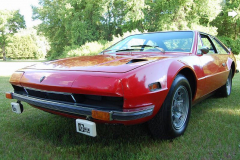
x: 116, y: 63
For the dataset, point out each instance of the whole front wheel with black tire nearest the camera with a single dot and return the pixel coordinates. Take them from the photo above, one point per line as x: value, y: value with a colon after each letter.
x: 163, y: 124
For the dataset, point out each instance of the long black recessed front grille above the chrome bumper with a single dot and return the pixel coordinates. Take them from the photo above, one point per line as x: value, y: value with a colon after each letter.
x: 77, y: 99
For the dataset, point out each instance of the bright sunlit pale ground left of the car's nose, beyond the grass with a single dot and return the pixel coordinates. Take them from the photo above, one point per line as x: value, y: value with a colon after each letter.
x: 7, y: 68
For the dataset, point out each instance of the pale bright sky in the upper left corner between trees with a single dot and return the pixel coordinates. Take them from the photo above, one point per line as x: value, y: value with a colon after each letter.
x: 25, y: 9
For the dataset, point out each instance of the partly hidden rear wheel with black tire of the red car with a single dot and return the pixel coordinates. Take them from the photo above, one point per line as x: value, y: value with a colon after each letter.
x: 226, y: 89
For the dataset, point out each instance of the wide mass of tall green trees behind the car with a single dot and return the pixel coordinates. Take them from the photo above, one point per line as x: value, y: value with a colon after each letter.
x: 72, y: 23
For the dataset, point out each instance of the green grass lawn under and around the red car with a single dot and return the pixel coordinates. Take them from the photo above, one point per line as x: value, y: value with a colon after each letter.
x: 213, y: 133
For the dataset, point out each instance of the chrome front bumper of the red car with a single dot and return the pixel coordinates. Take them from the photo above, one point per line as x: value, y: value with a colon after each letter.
x: 86, y: 110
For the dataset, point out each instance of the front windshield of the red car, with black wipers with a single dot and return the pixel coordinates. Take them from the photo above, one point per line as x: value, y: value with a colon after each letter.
x: 161, y: 41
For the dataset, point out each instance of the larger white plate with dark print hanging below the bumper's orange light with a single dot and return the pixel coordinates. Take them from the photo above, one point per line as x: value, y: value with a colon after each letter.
x: 86, y: 127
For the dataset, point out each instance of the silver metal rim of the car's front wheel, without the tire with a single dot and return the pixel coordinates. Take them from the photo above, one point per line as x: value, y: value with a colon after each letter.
x: 180, y: 107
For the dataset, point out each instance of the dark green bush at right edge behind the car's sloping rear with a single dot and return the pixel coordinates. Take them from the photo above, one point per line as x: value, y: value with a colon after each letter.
x: 230, y: 43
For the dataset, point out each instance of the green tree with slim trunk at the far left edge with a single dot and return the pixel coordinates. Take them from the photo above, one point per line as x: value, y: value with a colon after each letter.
x: 10, y: 23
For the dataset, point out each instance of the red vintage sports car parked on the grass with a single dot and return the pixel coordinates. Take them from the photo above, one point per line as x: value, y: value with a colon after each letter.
x: 151, y: 77
